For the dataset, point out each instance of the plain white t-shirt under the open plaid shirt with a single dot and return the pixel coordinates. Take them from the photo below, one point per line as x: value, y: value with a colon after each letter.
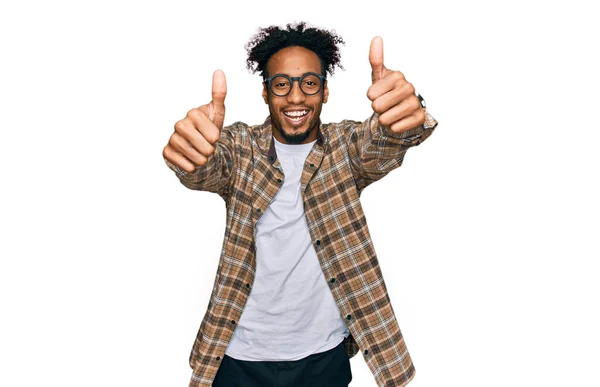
x: 290, y: 313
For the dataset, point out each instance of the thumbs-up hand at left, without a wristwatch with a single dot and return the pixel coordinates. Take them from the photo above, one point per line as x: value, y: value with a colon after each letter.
x: 195, y: 136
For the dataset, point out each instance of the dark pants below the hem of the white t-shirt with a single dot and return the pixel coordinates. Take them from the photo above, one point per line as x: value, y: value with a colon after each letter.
x: 326, y: 369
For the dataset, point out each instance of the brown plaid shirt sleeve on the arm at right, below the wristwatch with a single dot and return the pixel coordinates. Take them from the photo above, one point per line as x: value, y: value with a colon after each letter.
x: 376, y: 150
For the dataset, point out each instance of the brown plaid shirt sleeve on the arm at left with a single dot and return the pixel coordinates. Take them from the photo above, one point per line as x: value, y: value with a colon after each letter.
x: 218, y: 173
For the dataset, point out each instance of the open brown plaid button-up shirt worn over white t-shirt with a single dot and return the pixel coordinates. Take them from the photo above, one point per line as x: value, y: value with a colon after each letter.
x: 347, y: 157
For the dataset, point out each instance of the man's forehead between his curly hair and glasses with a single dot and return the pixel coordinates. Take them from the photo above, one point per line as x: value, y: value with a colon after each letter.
x: 294, y: 61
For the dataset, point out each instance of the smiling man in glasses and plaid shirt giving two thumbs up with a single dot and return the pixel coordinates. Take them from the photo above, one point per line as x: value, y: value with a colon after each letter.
x: 298, y: 289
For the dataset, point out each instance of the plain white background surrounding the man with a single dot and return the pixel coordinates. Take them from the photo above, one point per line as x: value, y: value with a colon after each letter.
x: 487, y: 235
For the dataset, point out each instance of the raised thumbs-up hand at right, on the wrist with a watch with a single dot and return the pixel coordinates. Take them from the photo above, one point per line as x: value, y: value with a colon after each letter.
x: 393, y: 96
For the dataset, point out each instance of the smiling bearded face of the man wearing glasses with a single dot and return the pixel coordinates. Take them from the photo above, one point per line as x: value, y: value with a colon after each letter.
x: 295, y: 61
